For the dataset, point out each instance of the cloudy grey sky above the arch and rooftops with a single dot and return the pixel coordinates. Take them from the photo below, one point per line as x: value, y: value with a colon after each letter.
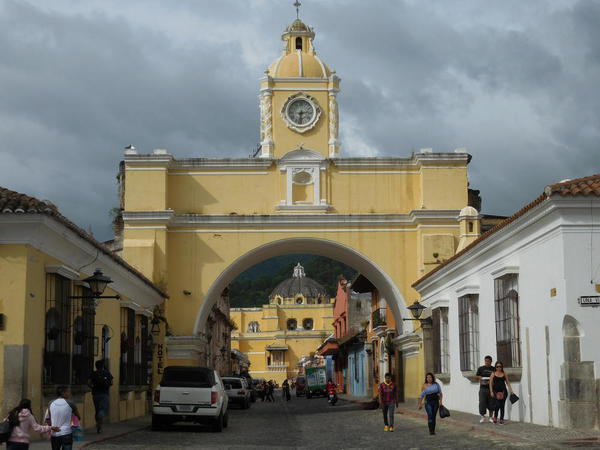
x: 515, y: 82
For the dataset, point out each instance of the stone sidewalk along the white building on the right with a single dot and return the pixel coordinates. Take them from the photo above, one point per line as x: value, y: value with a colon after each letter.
x: 519, y: 431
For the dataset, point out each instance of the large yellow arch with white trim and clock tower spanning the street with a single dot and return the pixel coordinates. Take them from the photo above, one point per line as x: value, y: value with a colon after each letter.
x: 193, y: 225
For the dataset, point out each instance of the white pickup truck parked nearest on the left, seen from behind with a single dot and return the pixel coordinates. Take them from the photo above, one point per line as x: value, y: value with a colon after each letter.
x: 190, y: 394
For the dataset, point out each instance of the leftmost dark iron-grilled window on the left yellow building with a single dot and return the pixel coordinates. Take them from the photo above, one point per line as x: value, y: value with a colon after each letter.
x: 57, y: 344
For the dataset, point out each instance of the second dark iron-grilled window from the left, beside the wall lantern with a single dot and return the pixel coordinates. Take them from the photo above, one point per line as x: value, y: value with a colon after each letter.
x: 83, y: 316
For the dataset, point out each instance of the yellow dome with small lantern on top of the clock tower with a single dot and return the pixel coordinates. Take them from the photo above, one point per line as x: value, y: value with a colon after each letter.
x: 299, y: 58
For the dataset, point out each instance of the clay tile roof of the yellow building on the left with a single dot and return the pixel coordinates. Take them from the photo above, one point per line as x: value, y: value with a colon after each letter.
x: 12, y: 202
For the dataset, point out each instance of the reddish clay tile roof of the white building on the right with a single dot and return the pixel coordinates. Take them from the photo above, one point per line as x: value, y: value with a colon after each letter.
x: 580, y: 186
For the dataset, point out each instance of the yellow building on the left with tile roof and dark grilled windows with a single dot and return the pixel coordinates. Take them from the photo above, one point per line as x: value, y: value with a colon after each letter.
x: 51, y: 328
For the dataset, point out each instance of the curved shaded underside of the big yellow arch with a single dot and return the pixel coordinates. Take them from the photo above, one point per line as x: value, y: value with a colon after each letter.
x: 322, y: 247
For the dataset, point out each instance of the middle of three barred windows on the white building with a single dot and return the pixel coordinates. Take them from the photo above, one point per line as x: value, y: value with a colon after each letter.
x: 468, y: 323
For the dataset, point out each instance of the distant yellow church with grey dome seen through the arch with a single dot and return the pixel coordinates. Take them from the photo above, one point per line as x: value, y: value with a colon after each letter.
x: 296, y: 320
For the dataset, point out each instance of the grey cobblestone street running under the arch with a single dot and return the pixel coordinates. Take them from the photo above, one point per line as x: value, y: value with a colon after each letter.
x: 304, y: 423
